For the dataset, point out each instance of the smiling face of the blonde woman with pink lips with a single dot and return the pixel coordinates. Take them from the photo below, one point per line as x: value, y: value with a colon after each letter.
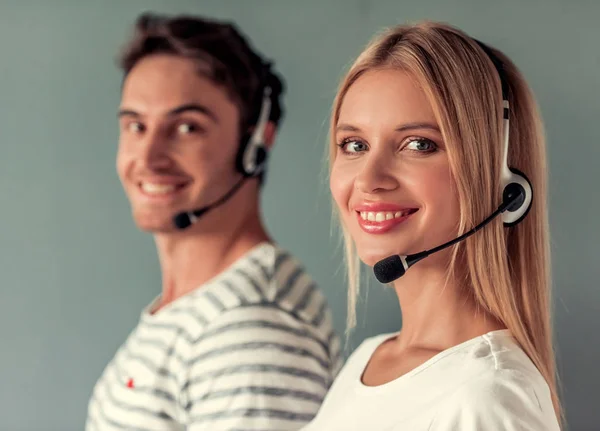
x: 391, y: 176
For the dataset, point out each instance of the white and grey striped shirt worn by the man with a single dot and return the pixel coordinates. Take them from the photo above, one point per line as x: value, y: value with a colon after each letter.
x: 252, y: 349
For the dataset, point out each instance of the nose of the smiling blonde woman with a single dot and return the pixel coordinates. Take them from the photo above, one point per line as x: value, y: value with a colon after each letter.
x: 377, y: 174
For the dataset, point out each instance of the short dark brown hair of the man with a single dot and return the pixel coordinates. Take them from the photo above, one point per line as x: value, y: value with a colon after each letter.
x: 218, y: 47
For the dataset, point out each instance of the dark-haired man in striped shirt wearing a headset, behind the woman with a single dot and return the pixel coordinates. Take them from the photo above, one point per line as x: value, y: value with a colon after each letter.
x: 241, y: 337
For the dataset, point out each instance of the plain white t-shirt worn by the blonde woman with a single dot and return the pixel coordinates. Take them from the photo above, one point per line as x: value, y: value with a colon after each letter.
x: 486, y: 383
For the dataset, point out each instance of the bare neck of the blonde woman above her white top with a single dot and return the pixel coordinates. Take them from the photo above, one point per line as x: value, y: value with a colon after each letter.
x: 437, y: 312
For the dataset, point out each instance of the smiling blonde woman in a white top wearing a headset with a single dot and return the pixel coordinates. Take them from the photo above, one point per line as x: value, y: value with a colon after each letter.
x: 417, y: 159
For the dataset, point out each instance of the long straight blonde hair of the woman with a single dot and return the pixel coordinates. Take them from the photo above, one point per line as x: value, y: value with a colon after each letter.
x: 505, y: 270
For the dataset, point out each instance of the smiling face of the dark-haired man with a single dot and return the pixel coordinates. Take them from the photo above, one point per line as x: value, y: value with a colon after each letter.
x: 179, y: 135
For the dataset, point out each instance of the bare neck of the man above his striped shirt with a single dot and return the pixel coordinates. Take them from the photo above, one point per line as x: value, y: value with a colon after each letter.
x: 190, y: 259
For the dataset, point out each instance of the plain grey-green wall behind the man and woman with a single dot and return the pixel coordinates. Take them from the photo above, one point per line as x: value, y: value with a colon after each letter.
x: 75, y: 271
